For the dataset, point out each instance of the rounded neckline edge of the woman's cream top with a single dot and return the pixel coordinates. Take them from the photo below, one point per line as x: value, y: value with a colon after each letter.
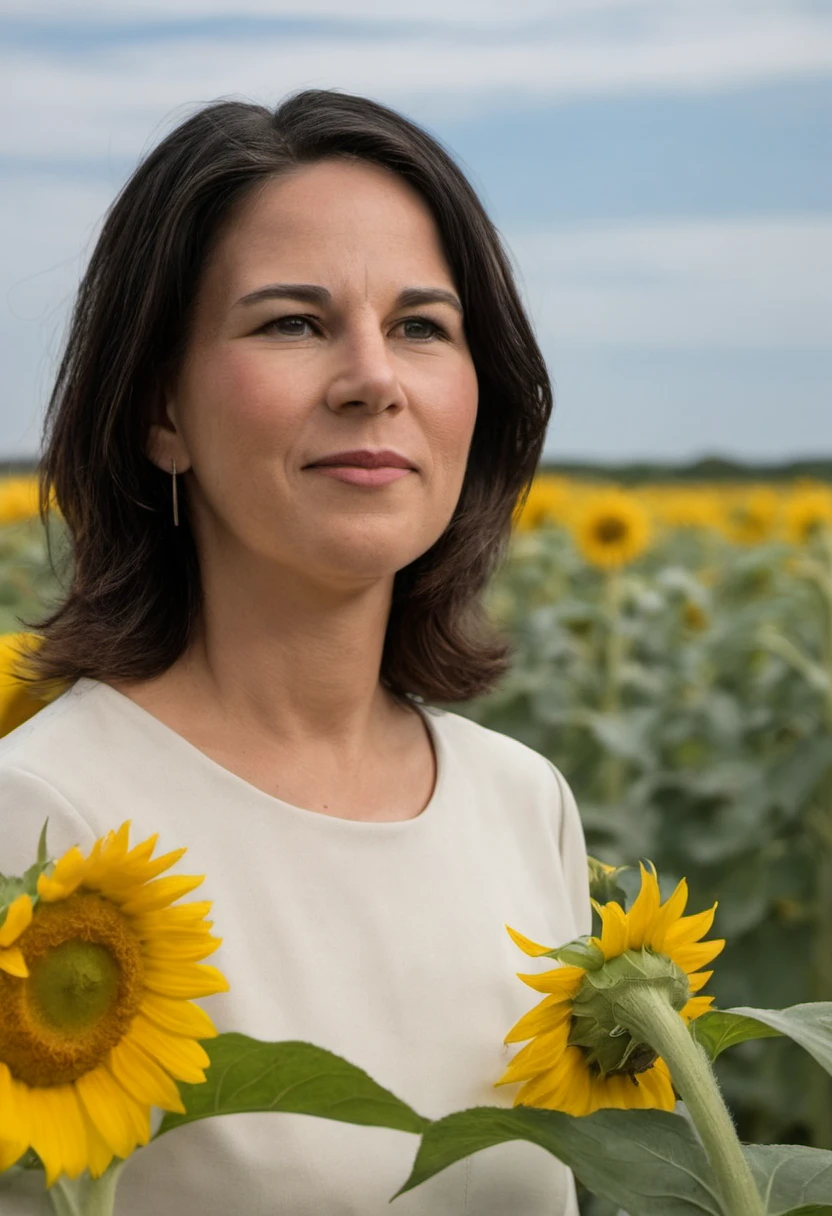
x: 185, y: 746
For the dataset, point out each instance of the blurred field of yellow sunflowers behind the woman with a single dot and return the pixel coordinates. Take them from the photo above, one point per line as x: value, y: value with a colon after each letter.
x: 673, y: 657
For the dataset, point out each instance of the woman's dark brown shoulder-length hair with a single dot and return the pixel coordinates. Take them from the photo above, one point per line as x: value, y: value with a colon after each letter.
x: 134, y: 595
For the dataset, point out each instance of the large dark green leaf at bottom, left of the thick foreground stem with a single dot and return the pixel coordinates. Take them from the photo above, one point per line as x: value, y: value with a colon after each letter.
x: 650, y: 1163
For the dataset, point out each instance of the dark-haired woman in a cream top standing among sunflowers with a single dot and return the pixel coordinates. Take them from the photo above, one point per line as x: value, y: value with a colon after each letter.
x: 299, y: 404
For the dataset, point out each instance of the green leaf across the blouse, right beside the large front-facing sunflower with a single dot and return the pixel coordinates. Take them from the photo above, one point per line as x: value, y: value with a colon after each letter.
x: 250, y: 1076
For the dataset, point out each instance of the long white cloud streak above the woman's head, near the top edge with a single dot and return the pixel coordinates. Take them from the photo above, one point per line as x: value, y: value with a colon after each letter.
x: 111, y: 99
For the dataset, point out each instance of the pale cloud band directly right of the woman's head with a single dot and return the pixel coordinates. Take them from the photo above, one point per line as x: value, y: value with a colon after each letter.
x: 701, y: 286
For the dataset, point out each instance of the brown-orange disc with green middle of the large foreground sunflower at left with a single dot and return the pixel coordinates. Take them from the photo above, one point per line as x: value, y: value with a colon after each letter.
x: 85, y: 988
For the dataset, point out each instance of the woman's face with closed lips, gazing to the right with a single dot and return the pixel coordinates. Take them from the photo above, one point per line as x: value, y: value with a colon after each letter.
x: 327, y: 323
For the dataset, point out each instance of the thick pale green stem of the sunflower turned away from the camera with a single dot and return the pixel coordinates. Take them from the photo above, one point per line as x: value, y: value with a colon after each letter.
x: 648, y: 1016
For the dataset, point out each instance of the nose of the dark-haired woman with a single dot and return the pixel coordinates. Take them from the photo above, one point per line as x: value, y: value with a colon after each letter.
x: 366, y: 376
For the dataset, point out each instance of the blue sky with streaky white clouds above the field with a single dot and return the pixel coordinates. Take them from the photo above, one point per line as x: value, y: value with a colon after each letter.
x: 660, y: 171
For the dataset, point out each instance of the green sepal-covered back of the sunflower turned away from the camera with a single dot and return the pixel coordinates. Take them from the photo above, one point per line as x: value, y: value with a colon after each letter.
x: 606, y: 1005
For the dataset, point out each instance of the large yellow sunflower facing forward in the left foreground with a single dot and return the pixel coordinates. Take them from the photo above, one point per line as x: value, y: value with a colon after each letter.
x: 98, y: 973
